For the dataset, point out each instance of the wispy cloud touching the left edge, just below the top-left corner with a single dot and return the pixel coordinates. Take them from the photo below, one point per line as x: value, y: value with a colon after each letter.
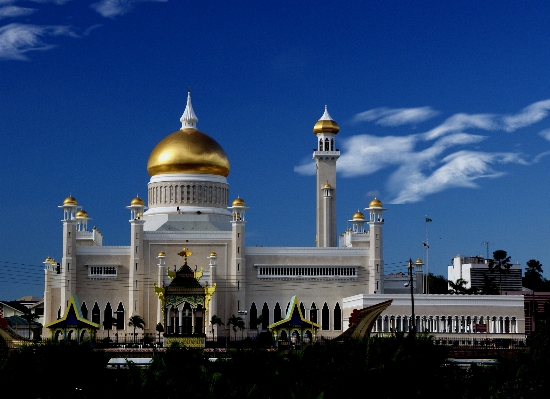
x: 18, y: 39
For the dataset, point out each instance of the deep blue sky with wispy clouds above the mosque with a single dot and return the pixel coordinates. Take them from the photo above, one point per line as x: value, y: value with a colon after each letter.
x: 443, y: 110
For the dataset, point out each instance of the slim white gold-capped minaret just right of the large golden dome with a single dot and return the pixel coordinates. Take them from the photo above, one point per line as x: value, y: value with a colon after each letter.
x: 236, y: 272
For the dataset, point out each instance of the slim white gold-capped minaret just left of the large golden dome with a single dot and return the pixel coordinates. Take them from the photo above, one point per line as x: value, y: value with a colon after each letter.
x: 136, y: 268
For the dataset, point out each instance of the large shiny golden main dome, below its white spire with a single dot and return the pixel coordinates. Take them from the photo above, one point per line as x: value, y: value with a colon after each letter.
x: 188, y: 151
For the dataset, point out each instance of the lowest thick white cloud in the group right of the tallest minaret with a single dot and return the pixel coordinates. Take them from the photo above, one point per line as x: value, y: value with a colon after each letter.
x: 460, y: 169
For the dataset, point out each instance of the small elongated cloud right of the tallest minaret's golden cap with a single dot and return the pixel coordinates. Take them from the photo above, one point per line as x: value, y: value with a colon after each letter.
x: 396, y: 117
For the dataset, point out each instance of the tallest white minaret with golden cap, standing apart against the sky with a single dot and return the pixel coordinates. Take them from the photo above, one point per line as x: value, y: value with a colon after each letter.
x: 325, y: 157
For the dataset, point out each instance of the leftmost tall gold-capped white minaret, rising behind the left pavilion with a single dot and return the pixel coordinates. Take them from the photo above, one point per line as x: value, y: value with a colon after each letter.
x: 68, y: 262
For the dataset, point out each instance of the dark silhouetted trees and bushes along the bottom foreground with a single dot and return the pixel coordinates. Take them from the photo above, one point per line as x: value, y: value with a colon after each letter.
x: 394, y: 367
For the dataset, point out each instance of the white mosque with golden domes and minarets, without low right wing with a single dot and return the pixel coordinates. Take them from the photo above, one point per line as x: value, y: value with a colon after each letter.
x: 189, y: 220
